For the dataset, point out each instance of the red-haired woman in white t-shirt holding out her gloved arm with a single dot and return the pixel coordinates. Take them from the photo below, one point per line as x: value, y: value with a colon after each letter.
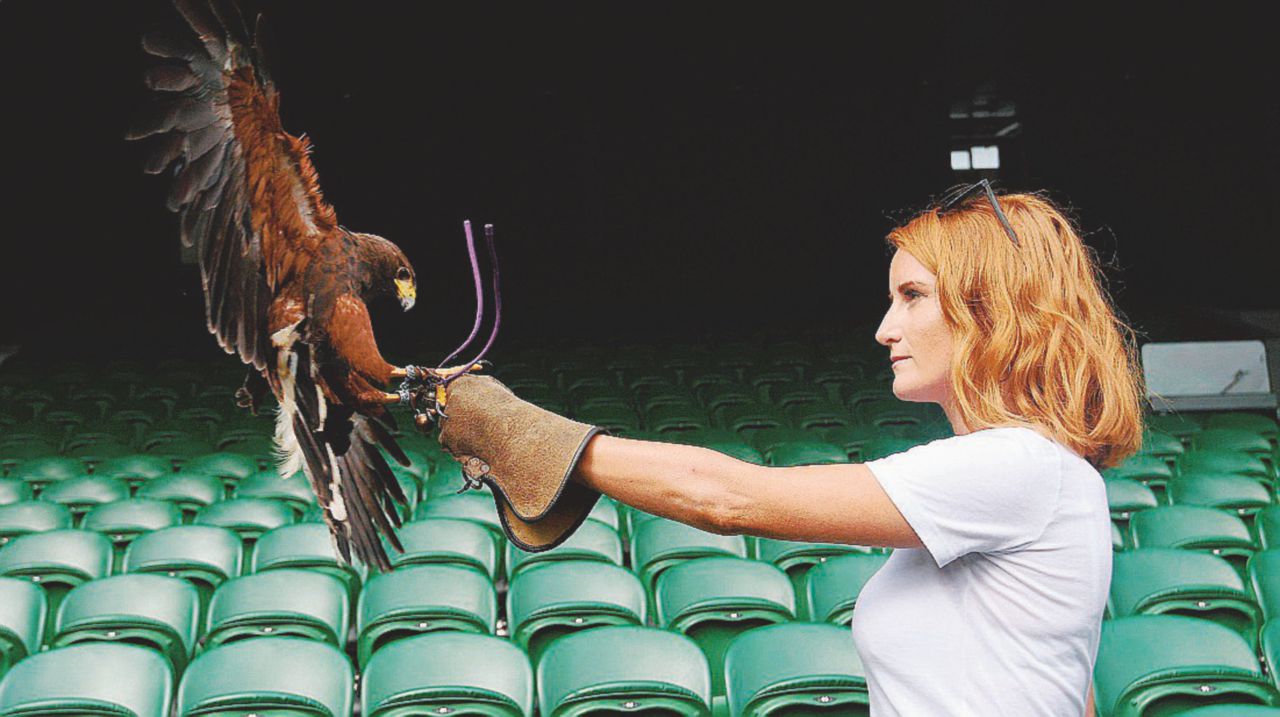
x: 994, y: 600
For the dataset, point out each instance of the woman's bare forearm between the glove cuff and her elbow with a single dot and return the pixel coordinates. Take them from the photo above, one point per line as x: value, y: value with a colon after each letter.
x: 683, y: 483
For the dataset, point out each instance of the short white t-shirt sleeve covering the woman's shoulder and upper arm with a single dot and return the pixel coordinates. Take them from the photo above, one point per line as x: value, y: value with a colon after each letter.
x: 986, y: 492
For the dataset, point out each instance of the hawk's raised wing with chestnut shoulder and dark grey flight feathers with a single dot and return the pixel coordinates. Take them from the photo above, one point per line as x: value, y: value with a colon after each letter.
x: 246, y: 191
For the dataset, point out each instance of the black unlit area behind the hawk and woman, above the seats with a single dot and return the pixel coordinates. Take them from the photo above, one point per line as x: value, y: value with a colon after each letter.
x: 653, y: 172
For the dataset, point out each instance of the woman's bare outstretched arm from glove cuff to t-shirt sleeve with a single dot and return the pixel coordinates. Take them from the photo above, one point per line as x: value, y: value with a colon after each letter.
x: 700, y: 487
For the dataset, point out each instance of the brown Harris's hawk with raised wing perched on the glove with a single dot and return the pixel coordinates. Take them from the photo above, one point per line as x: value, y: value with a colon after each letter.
x: 286, y: 286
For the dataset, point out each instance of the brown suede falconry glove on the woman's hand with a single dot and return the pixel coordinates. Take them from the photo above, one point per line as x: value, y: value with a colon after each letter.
x: 524, y: 454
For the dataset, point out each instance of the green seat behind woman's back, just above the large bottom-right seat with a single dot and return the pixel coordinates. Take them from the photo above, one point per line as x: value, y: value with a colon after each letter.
x: 1172, y: 582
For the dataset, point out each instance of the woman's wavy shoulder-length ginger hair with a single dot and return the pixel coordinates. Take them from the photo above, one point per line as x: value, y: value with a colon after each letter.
x: 1037, y: 340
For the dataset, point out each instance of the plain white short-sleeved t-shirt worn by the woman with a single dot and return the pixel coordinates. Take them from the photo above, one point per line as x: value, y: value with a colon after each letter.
x: 1000, y: 613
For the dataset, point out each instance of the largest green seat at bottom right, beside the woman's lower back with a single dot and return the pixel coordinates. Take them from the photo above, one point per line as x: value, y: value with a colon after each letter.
x: 1168, y: 664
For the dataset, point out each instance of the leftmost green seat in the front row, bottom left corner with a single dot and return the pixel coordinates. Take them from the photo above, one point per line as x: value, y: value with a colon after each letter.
x: 89, y: 681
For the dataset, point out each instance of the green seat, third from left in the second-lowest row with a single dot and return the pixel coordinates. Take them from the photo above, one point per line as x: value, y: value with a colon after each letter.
x: 295, y: 604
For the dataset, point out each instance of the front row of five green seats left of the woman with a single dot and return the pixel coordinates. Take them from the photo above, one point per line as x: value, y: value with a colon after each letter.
x: 602, y: 670
